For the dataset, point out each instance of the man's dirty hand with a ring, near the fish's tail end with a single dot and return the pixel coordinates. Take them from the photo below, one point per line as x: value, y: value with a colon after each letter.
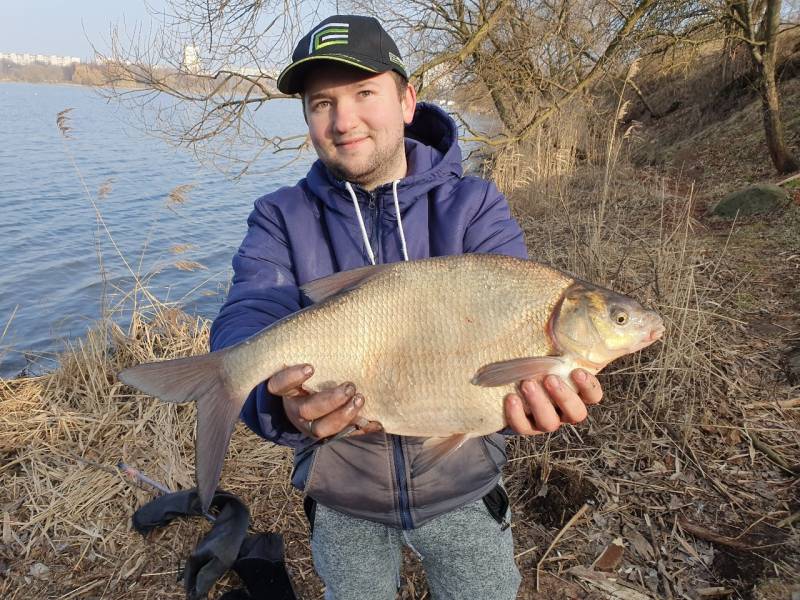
x: 320, y: 414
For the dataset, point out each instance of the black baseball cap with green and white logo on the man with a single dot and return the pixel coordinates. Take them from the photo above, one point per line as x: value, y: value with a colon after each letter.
x: 354, y: 40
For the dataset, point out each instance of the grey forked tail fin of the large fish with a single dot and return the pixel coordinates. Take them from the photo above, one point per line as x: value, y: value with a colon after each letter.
x: 201, y: 379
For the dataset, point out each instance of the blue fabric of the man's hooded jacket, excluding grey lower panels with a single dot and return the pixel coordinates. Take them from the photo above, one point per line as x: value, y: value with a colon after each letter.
x: 310, y: 230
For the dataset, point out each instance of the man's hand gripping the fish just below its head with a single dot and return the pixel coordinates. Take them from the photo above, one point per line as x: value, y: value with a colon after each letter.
x: 544, y: 407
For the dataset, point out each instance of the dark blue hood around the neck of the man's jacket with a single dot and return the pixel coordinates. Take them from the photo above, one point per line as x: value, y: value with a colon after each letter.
x: 432, y: 153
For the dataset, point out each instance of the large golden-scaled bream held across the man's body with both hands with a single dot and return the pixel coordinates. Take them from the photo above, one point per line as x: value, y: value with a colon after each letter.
x: 433, y: 345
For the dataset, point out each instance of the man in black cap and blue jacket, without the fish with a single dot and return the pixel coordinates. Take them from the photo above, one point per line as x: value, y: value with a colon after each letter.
x: 388, y: 186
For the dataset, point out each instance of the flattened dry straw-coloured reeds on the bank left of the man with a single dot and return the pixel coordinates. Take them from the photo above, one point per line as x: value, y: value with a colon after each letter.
x: 63, y: 503
